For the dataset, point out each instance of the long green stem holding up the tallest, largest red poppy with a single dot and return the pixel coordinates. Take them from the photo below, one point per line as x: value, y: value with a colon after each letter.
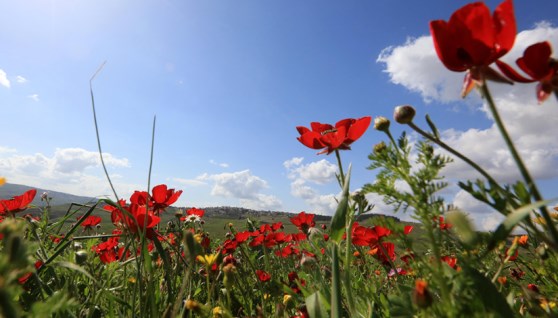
x: 522, y: 168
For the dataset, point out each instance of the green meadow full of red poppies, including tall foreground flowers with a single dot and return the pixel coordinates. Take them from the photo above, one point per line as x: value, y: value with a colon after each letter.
x: 144, y: 258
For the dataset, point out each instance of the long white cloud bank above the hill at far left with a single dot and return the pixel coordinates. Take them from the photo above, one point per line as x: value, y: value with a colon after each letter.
x: 68, y: 170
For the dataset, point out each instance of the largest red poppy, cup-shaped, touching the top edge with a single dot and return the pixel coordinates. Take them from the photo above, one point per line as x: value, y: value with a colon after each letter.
x: 472, y: 39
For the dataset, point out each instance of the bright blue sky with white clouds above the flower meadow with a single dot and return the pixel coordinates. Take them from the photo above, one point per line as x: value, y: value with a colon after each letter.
x: 229, y: 81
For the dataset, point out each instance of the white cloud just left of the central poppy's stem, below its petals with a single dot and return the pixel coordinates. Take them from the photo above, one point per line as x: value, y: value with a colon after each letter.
x: 319, y: 172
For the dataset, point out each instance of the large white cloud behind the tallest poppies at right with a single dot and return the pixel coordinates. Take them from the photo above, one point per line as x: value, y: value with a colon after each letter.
x: 415, y: 65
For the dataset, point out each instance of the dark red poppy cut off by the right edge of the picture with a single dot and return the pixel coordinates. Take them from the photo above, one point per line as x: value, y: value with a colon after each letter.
x: 539, y: 65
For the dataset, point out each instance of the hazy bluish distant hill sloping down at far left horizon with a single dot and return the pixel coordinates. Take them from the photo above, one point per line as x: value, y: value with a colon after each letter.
x: 9, y: 190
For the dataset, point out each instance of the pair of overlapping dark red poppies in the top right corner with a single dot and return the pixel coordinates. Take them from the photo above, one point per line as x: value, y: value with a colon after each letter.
x: 472, y: 39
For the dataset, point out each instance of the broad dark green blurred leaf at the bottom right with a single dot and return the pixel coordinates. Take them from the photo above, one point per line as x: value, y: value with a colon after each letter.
x: 488, y: 294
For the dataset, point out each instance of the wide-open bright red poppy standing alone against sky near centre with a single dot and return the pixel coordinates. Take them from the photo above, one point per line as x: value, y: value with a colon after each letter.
x: 340, y: 136
